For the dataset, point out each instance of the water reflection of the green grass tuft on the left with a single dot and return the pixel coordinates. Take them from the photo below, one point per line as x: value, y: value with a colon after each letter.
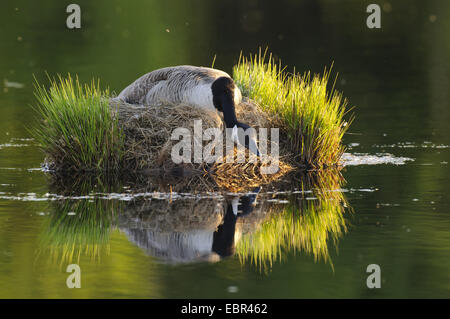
x: 81, y: 226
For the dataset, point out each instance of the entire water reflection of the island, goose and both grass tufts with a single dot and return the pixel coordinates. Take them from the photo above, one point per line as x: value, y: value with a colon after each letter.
x: 186, y: 228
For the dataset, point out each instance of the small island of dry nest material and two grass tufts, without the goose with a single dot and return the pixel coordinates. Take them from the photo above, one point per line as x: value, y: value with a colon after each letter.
x: 82, y: 129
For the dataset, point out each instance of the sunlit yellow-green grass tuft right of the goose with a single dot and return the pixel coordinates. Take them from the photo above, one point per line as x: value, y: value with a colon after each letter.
x: 311, y: 115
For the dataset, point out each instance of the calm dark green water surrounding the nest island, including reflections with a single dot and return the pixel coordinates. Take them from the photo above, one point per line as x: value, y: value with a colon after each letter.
x: 391, y: 207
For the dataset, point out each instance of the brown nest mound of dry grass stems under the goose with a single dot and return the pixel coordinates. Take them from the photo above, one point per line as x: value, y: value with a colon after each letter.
x: 148, y: 143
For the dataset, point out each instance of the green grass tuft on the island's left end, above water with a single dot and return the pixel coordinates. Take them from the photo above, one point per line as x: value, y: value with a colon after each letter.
x: 77, y: 129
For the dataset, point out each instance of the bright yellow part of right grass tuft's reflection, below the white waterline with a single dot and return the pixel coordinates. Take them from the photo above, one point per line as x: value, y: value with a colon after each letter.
x: 294, y: 229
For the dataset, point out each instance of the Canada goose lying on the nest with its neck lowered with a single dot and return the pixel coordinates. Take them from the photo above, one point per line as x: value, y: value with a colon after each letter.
x: 197, y: 86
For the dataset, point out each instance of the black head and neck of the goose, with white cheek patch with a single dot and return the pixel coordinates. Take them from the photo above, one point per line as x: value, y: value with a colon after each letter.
x: 223, y: 99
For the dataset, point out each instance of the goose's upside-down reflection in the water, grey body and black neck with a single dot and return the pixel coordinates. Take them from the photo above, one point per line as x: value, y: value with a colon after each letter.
x: 194, y: 244
